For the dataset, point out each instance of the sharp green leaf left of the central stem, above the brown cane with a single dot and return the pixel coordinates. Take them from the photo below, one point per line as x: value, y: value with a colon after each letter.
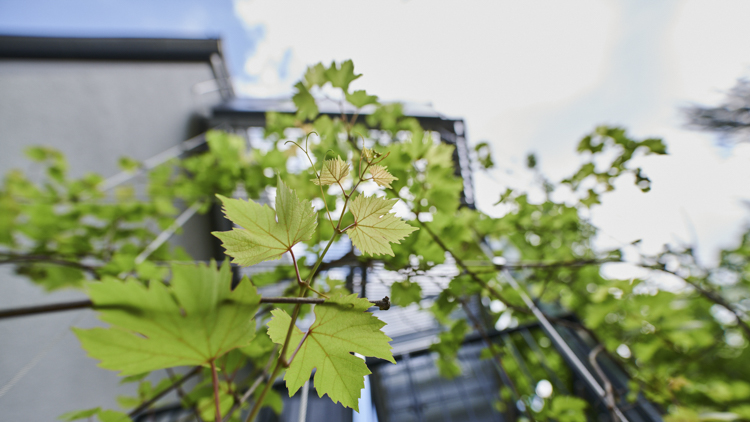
x: 262, y: 238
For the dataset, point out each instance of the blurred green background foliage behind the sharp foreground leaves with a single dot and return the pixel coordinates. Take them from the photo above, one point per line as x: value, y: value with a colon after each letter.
x: 679, y: 329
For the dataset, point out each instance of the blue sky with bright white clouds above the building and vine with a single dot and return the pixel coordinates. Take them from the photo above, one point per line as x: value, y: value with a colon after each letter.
x: 532, y: 76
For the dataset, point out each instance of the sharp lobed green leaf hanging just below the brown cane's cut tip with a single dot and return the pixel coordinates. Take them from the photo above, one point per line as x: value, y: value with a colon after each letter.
x: 341, y: 326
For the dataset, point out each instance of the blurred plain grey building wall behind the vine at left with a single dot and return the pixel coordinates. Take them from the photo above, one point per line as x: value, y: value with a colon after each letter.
x: 94, y: 112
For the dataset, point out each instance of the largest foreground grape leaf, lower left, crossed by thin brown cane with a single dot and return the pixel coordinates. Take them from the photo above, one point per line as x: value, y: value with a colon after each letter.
x: 195, y: 320
